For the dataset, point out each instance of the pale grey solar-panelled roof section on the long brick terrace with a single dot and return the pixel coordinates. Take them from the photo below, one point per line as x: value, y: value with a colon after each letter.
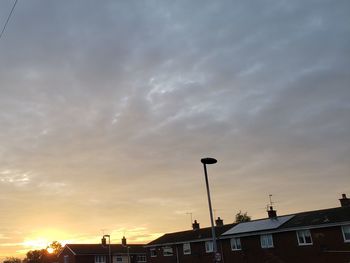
x: 258, y: 225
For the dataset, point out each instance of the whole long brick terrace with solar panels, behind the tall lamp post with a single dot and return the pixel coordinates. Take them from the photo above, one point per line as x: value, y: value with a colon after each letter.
x: 312, y: 236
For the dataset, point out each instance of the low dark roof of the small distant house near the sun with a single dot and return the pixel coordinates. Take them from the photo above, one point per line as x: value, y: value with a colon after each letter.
x: 98, y: 249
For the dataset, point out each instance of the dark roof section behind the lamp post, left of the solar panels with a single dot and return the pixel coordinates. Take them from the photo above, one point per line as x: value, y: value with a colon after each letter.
x: 189, y: 235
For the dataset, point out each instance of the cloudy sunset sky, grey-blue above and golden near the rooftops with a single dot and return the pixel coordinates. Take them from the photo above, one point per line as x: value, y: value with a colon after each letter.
x: 107, y: 107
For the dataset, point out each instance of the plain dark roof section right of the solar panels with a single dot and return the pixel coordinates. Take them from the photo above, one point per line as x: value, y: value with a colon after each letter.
x: 319, y: 217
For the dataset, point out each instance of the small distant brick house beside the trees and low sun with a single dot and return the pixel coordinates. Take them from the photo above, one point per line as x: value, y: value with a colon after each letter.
x: 96, y: 253
